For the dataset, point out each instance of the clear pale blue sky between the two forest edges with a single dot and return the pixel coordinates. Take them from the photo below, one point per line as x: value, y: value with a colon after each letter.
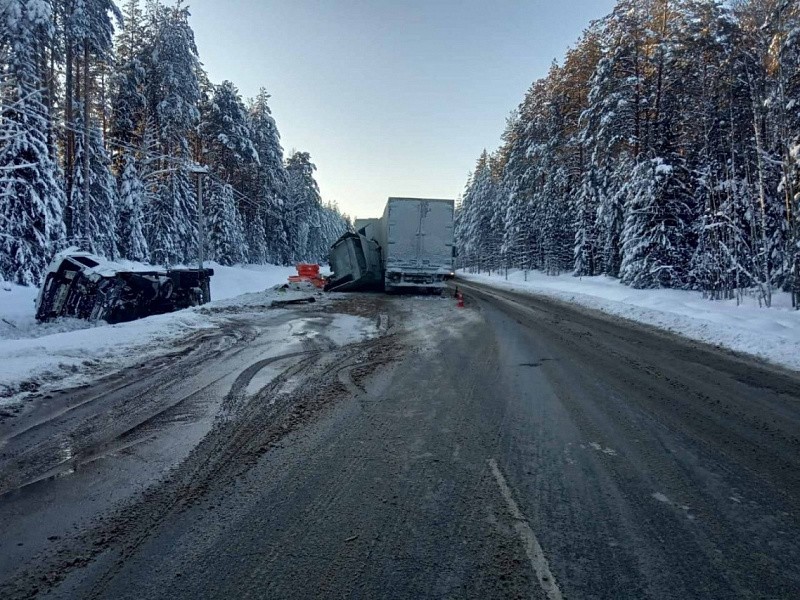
x: 390, y: 98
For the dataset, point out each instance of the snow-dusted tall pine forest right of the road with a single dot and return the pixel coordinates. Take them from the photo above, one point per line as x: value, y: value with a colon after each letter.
x: 664, y: 150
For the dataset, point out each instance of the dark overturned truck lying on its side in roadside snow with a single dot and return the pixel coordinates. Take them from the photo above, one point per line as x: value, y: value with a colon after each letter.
x: 84, y: 286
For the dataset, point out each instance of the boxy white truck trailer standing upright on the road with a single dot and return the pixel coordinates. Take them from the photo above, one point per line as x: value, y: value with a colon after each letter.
x: 416, y: 240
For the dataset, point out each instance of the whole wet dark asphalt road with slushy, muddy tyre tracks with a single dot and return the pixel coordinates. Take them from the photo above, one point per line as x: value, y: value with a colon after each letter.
x: 517, y: 448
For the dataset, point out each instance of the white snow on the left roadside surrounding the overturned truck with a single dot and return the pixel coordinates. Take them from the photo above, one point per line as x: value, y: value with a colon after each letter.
x: 71, y: 349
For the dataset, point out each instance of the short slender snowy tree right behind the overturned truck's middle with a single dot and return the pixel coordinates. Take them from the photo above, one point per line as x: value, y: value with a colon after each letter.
x: 130, y: 221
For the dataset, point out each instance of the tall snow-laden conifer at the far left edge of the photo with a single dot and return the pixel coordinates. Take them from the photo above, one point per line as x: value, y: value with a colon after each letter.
x: 31, y: 199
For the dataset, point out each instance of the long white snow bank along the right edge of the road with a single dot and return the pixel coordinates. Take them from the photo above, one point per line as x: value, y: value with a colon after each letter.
x: 770, y: 334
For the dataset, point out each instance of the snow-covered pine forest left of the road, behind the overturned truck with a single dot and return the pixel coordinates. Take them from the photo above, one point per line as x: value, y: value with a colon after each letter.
x: 106, y: 111
